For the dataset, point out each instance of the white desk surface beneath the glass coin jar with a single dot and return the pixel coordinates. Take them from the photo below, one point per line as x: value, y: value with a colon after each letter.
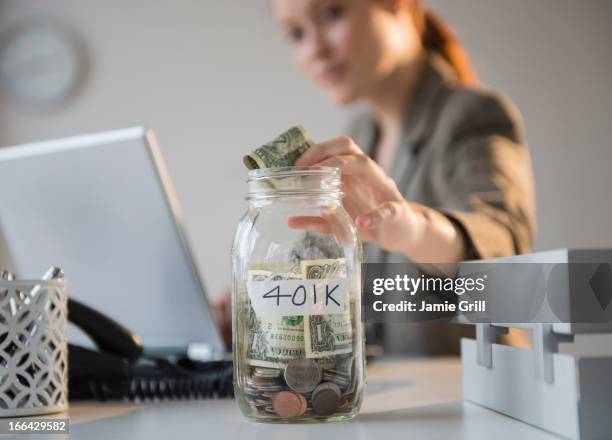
x: 415, y: 399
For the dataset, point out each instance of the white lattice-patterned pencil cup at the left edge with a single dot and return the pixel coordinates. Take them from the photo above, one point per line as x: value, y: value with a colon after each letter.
x: 33, y: 347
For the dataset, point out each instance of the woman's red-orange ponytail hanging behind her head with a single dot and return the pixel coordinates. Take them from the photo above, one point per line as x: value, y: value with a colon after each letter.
x: 438, y: 38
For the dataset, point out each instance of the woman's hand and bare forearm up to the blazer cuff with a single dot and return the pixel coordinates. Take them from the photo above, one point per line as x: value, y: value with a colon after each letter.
x: 381, y: 213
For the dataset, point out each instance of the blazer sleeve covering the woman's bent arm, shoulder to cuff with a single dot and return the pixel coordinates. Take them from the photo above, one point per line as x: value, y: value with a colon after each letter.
x: 488, y: 186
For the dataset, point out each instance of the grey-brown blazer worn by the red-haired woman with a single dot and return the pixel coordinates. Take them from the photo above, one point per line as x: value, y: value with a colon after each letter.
x: 462, y: 151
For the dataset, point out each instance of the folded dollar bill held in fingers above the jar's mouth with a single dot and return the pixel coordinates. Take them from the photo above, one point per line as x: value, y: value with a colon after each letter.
x: 282, y: 151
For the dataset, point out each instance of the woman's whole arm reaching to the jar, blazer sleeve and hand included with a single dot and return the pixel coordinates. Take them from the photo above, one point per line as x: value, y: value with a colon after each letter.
x: 486, y: 195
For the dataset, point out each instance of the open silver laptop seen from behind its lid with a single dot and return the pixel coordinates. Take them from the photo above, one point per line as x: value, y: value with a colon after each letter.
x: 101, y: 207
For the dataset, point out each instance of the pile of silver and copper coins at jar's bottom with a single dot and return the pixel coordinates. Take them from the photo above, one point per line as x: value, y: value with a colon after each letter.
x: 303, y: 388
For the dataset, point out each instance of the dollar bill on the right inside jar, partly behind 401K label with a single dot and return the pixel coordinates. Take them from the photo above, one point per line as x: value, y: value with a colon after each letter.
x: 327, y: 335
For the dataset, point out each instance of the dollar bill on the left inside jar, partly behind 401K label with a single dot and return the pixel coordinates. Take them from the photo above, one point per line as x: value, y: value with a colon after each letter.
x: 274, y: 341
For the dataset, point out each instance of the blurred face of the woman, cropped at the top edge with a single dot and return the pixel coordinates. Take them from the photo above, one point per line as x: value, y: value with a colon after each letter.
x: 346, y: 46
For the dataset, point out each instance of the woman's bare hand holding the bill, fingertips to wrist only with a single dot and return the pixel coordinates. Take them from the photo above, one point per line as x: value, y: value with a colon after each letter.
x: 371, y: 197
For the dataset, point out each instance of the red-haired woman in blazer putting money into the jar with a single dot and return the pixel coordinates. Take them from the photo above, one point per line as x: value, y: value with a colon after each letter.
x: 436, y: 171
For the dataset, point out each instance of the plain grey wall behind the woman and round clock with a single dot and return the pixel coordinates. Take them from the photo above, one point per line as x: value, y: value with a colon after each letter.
x: 213, y: 79
